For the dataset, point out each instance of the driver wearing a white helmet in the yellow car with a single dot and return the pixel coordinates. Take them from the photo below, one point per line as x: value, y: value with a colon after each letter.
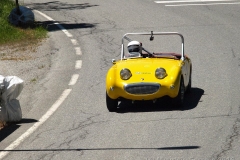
x: 135, y: 49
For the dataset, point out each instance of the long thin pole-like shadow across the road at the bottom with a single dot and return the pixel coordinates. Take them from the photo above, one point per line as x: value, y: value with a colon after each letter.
x: 99, y: 149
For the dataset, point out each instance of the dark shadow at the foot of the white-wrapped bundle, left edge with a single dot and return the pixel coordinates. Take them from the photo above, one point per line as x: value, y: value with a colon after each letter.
x: 5, y: 132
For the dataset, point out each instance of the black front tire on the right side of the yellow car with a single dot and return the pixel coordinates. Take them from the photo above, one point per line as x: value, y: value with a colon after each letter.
x: 179, y: 100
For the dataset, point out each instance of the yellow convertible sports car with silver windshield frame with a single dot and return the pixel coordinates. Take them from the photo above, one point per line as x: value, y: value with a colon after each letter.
x: 144, y: 75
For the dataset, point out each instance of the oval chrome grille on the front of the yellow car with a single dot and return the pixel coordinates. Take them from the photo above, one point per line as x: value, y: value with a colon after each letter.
x: 142, y: 88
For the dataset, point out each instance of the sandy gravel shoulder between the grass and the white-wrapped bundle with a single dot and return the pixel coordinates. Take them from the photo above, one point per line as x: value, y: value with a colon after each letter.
x: 28, y: 61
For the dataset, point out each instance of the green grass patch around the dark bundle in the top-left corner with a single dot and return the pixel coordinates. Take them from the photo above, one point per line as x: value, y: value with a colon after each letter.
x: 13, y: 34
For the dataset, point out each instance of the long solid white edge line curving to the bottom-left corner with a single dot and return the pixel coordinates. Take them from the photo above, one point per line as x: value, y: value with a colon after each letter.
x: 37, y: 124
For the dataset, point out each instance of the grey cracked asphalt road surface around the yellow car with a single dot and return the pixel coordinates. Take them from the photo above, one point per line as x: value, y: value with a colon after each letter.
x: 82, y: 127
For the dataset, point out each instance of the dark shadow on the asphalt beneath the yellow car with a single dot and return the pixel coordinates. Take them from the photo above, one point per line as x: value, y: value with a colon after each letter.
x: 164, y: 104
